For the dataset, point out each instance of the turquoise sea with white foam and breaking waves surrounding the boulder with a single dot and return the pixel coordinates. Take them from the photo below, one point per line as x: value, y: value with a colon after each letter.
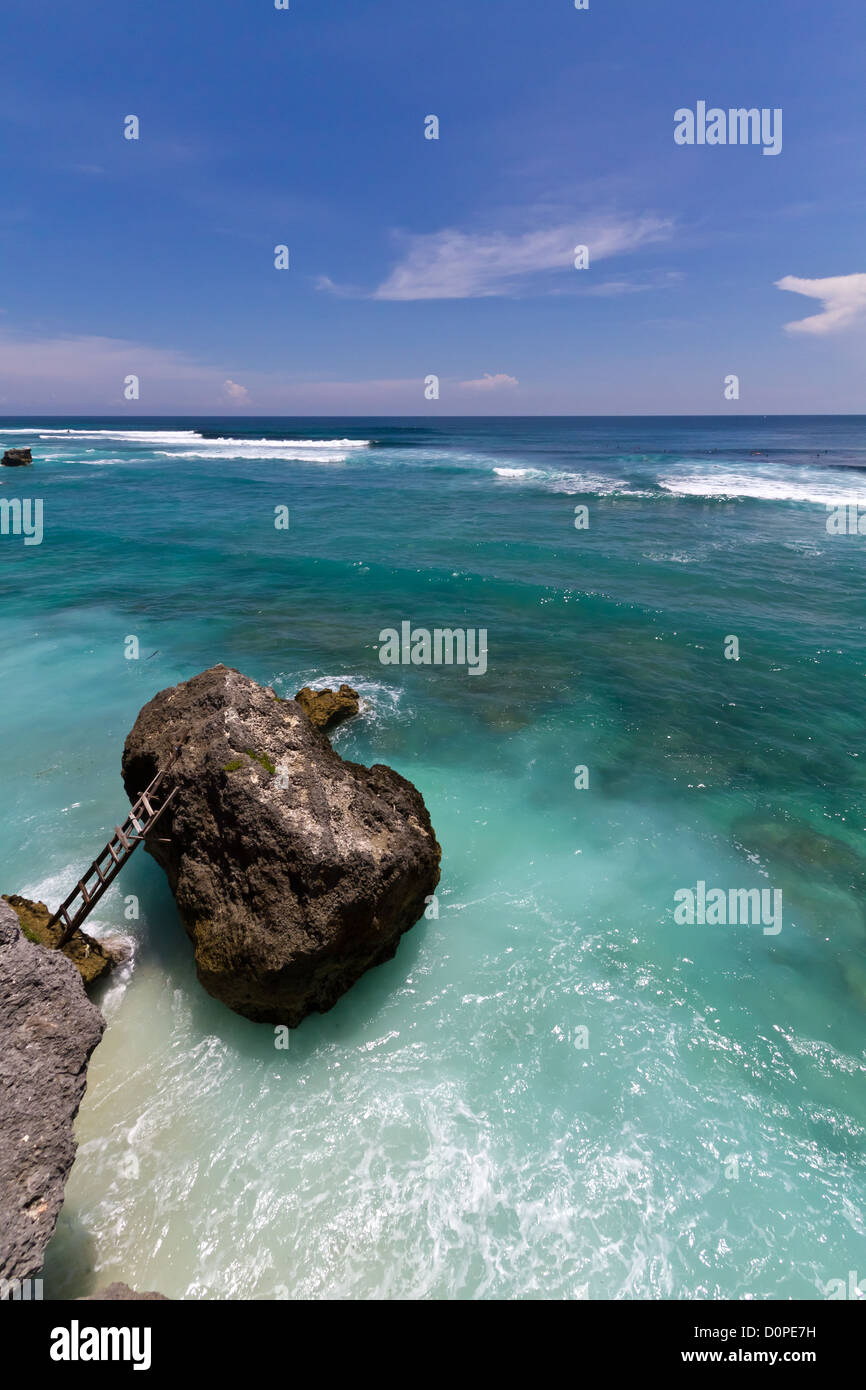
x: 440, y: 1134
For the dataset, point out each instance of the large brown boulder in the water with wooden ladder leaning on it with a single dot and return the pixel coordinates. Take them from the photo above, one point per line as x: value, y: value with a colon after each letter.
x: 294, y: 871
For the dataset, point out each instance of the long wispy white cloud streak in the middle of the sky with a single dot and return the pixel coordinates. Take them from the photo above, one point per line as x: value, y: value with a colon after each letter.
x: 457, y: 265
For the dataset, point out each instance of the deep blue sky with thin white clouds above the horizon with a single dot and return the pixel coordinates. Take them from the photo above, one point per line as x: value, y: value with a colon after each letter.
x: 411, y: 258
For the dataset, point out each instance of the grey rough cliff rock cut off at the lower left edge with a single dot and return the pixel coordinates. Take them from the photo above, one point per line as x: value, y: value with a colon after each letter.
x: 48, y: 1032
